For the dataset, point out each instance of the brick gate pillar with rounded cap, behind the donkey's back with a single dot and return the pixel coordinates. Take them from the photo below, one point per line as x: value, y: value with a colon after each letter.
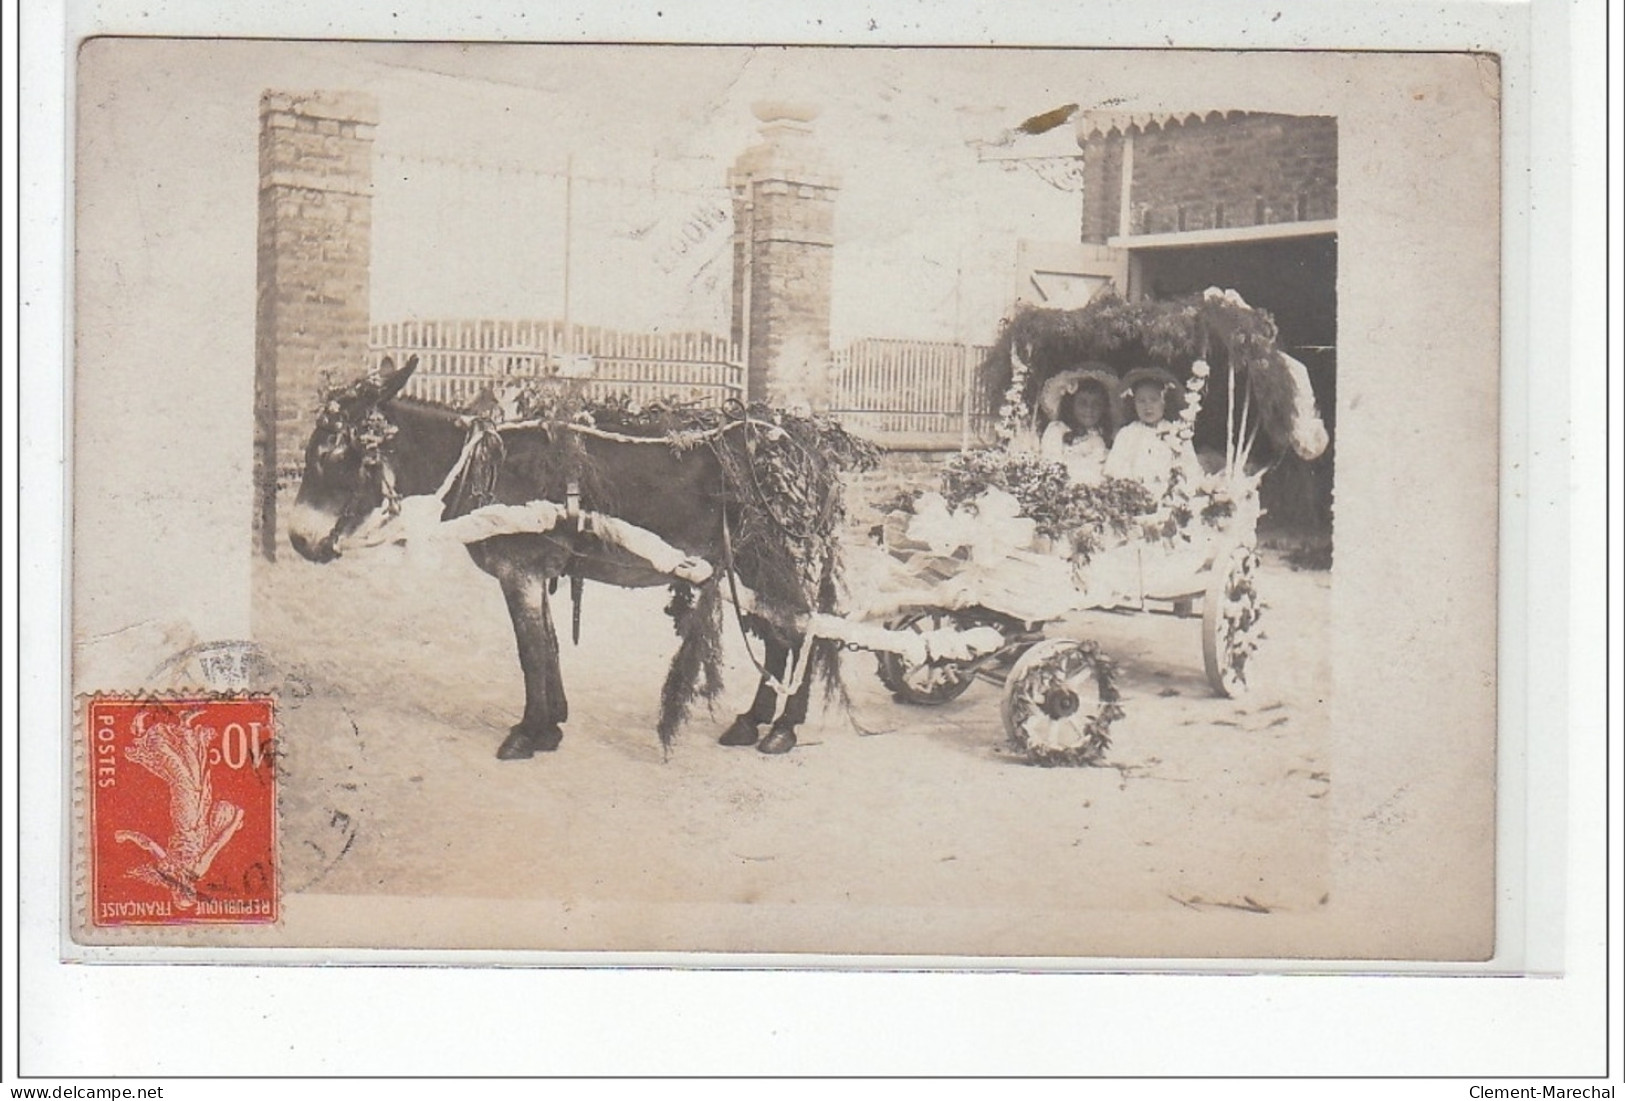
x: 784, y: 248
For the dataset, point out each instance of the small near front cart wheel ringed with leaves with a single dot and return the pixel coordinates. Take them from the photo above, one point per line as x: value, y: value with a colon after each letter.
x: 1060, y: 704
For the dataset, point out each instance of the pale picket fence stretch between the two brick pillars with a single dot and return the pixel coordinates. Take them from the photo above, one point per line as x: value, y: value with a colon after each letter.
x: 461, y: 358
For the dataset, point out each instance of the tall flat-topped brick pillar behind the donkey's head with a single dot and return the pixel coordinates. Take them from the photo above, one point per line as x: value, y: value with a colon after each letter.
x: 314, y: 274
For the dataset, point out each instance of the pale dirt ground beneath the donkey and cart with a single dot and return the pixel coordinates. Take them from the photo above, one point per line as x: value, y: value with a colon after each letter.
x: 401, y: 681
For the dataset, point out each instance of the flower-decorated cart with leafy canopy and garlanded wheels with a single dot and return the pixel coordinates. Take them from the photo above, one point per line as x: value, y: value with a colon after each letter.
x: 1012, y: 545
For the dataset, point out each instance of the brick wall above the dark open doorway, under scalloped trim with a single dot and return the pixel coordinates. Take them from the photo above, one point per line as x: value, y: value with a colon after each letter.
x: 1247, y: 170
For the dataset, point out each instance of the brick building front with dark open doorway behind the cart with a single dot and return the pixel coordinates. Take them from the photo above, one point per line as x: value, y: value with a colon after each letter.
x: 1174, y: 204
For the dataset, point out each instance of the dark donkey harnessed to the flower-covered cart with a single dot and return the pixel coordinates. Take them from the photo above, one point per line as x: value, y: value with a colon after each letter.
x: 373, y: 447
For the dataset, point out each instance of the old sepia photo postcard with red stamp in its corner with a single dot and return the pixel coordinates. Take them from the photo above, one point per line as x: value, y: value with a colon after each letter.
x: 830, y: 503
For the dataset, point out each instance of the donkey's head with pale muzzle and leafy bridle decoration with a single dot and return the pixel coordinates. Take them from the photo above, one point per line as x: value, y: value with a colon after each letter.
x: 349, y: 475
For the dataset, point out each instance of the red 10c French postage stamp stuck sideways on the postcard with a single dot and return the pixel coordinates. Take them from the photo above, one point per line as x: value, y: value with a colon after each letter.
x: 183, y: 811
